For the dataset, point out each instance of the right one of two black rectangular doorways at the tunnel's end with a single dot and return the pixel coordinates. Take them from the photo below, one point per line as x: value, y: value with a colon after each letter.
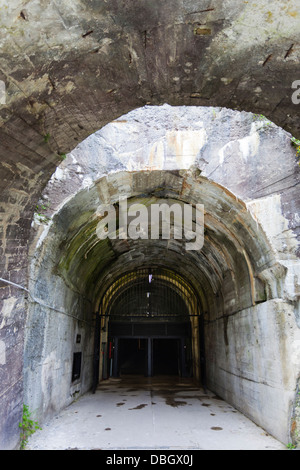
x: 166, y: 356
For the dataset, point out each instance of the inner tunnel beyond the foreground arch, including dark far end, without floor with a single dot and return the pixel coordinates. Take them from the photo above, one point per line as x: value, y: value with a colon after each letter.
x: 225, y: 314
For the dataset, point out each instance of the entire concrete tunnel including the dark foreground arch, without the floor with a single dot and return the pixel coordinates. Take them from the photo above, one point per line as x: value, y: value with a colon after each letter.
x: 70, y: 70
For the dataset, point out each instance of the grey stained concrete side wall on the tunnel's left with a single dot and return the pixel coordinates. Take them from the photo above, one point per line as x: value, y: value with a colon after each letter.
x: 50, y: 342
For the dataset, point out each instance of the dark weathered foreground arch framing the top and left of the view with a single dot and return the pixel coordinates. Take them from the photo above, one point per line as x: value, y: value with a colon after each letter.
x: 70, y: 68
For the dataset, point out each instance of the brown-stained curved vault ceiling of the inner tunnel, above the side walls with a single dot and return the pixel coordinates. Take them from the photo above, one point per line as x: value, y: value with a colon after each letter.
x: 230, y: 265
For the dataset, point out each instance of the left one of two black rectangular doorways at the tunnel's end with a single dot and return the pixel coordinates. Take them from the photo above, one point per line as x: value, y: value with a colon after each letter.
x: 133, y: 356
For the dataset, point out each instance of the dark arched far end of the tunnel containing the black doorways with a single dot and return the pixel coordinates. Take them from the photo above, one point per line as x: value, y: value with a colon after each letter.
x: 146, y: 326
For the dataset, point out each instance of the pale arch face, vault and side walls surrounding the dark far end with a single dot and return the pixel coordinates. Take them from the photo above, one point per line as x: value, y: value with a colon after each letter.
x: 246, y: 274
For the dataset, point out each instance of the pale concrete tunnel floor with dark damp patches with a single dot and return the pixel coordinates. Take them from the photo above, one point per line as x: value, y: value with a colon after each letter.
x: 158, y: 413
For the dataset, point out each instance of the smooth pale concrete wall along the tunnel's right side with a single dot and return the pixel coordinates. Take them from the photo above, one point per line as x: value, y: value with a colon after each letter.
x: 253, y: 363
